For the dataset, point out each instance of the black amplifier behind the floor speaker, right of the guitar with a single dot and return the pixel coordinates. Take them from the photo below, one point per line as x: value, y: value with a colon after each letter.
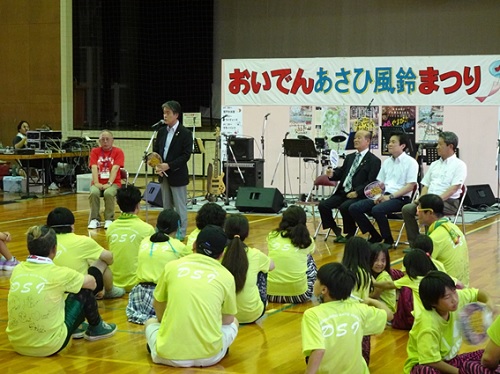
x: 253, y: 173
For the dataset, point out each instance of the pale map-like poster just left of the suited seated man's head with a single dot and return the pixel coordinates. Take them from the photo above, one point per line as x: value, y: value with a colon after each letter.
x: 329, y: 122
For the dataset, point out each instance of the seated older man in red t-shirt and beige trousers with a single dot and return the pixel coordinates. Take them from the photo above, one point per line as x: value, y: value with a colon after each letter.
x: 105, y: 162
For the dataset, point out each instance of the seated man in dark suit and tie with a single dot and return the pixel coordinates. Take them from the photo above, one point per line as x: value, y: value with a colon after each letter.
x: 359, y: 169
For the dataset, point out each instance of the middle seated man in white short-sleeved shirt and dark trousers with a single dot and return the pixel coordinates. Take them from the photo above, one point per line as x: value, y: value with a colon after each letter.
x: 399, y: 175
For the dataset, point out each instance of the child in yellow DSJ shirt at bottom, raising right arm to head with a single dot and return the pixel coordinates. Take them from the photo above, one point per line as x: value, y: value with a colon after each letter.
x: 332, y: 331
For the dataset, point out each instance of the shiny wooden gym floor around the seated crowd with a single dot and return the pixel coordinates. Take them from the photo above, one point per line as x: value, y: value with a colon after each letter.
x: 273, y: 345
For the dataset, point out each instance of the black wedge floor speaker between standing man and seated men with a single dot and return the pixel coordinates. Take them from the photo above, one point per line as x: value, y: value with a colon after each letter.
x: 259, y: 200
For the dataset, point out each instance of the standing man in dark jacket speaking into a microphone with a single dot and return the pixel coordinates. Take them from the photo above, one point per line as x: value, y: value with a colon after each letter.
x: 174, y: 143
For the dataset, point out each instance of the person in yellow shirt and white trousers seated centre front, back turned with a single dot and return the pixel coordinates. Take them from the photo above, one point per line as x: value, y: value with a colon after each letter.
x: 195, y: 303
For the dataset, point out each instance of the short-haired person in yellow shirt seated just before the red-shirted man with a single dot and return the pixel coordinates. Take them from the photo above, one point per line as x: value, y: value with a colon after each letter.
x: 125, y: 235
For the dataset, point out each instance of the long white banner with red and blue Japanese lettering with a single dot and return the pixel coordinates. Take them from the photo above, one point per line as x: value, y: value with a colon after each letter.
x: 418, y: 80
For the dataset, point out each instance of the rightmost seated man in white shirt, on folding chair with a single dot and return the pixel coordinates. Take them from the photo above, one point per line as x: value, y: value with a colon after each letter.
x: 445, y: 178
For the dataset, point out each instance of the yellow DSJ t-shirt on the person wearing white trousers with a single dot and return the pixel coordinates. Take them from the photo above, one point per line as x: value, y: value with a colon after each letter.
x: 197, y: 290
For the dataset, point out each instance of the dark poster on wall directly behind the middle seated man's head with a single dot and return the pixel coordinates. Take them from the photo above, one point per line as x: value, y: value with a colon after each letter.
x: 398, y: 119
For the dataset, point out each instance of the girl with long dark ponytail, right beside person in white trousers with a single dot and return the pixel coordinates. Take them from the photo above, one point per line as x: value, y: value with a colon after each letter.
x: 249, y: 267
